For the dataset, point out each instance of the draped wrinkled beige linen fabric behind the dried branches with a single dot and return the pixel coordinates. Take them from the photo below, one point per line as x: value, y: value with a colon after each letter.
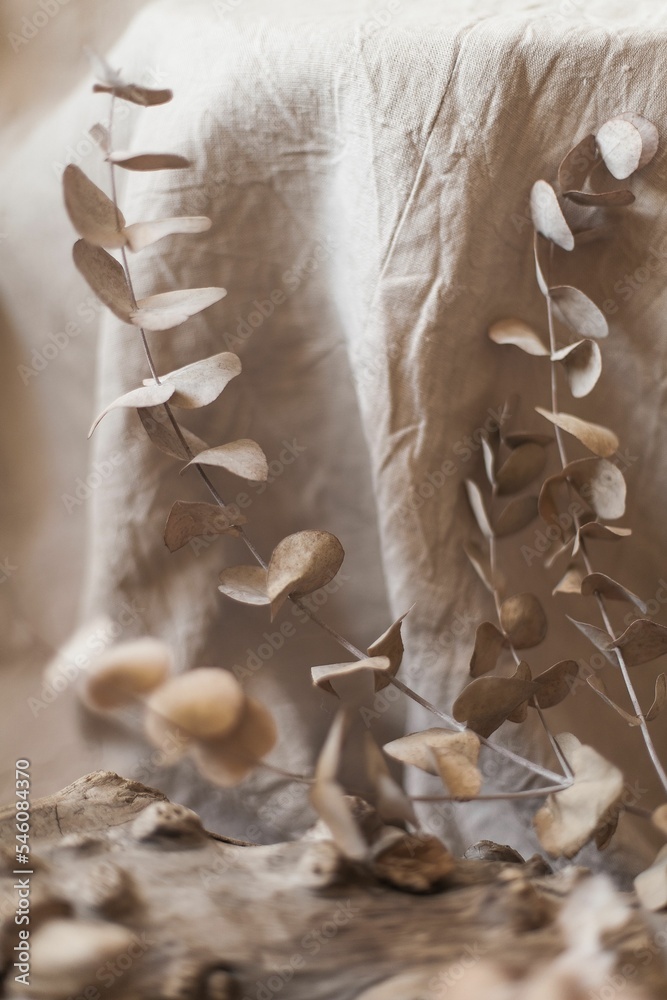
x: 370, y: 166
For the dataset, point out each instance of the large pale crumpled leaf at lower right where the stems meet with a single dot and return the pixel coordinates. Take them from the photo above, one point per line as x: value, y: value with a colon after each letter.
x: 569, y: 819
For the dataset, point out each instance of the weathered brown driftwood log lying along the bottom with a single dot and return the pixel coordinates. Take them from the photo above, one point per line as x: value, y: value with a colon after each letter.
x: 131, y: 898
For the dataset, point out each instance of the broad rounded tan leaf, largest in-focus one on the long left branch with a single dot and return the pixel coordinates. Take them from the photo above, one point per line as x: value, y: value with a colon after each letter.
x: 302, y: 563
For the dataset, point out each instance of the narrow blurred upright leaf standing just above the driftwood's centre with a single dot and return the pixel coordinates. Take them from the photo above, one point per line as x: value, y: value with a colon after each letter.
x: 328, y: 798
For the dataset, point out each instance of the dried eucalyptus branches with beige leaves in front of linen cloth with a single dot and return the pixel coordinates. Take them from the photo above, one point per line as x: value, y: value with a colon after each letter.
x: 205, y: 711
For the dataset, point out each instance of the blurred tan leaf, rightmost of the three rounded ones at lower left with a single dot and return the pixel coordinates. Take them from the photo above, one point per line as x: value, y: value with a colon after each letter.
x: 227, y: 760
